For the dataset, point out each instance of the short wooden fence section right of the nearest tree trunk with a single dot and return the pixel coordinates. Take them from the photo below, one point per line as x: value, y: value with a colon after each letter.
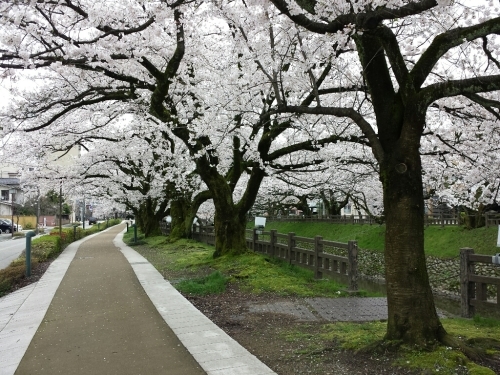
x: 474, y: 287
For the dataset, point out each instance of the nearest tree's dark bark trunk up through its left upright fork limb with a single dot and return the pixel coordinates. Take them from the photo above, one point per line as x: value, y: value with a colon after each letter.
x: 412, y: 316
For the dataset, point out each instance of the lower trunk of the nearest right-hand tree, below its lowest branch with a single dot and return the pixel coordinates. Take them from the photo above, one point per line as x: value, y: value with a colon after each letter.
x: 412, y: 314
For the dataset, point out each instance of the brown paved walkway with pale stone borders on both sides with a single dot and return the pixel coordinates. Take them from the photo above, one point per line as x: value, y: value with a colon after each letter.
x: 101, y: 308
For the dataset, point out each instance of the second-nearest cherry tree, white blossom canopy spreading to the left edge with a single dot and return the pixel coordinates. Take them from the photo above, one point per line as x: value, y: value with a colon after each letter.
x: 197, y: 80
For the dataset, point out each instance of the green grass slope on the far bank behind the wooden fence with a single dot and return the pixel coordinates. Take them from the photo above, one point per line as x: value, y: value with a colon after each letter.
x: 440, y: 242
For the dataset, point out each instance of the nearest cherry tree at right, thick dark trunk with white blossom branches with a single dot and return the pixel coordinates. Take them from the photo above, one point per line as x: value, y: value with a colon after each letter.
x: 417, y: 59
